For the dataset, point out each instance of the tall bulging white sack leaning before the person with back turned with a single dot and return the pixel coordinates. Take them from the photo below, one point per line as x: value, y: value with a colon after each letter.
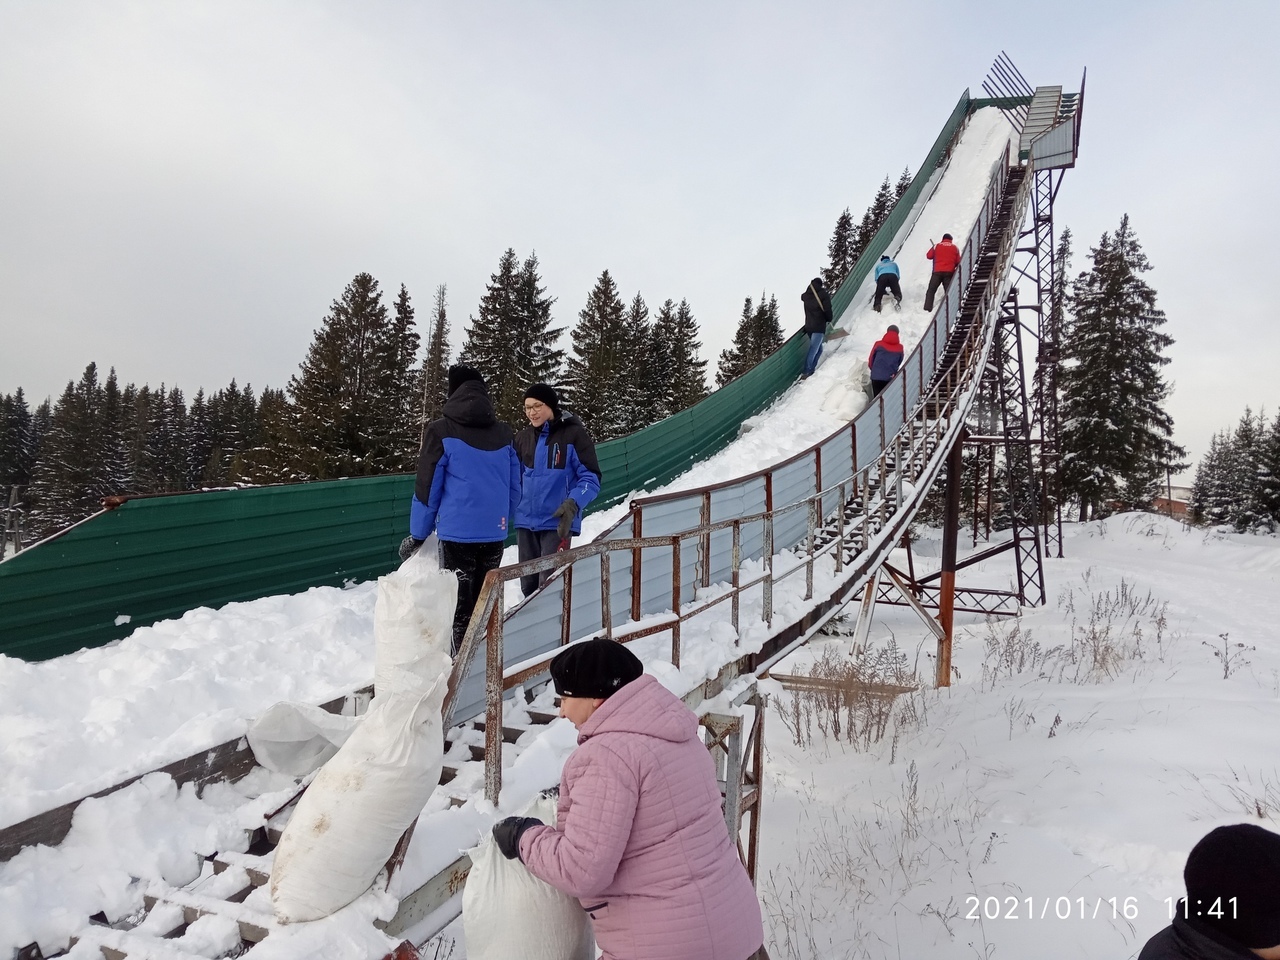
x: 348, y: 824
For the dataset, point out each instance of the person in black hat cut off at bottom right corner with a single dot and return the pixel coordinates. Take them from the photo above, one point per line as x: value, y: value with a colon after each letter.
x: 1233, y: 900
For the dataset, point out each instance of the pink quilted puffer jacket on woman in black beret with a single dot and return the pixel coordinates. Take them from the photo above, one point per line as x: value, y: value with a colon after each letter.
x: 642, y: 840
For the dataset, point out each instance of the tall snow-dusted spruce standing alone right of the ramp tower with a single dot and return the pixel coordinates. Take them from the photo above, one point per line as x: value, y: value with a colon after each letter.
x: 1117, y: 436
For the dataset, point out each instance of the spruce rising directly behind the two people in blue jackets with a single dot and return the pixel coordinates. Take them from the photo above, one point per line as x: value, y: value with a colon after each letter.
x: 511, y: 341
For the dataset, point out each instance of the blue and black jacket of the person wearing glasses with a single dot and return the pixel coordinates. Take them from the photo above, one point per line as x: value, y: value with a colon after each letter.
x: 557, y: 461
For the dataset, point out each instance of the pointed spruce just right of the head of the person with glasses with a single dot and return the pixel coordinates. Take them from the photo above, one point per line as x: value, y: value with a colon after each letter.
x: 598, y: 372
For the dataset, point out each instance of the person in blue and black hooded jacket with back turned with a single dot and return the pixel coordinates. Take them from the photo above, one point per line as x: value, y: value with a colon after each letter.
x: 467, y: 491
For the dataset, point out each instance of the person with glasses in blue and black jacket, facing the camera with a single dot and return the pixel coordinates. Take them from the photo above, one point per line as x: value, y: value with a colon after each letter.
x: 560, y: 477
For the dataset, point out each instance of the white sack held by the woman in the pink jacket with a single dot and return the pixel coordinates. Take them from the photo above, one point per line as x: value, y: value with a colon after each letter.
x: 509, y: 913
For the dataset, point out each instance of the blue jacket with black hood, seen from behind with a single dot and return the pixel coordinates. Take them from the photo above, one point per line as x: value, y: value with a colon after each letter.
x: 468, y: 473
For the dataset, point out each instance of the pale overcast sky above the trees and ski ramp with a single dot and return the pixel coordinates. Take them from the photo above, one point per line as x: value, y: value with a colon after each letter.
x: 185, y: 188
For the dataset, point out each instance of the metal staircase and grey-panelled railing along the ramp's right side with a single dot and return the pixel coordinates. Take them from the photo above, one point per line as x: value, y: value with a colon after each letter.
x: 830, y: 515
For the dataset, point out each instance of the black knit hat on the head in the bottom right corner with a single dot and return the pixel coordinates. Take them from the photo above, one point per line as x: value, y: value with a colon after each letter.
x: 1238, y: 863
